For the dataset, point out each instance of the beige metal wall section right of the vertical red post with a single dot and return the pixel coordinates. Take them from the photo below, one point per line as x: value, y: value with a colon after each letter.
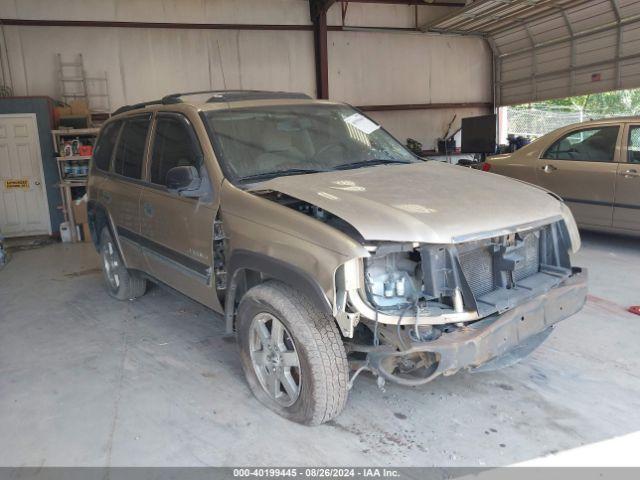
x: 417, y: 73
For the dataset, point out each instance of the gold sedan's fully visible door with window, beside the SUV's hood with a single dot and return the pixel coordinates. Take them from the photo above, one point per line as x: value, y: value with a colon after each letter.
x: 581, y: 167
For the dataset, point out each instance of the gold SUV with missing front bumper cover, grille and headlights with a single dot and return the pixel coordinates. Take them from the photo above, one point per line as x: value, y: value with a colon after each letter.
x: 329, y: 248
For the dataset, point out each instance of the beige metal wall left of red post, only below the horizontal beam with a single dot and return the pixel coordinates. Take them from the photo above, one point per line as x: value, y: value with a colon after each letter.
x: 147, y: 63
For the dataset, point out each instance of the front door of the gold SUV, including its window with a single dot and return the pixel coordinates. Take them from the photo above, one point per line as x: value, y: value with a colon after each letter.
x: 177, y: 232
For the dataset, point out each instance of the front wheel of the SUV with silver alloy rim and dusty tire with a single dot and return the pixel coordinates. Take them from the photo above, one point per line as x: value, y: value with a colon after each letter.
x: 292, y: 354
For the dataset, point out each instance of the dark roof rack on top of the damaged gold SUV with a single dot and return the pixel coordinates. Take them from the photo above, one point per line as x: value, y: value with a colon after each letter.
x: 218, y: 96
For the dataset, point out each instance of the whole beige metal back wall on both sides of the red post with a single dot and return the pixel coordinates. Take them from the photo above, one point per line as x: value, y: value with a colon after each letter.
x: 366, y: 67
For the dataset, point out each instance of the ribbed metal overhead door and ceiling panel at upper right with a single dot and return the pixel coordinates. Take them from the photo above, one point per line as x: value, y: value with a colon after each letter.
x: 554, y: 48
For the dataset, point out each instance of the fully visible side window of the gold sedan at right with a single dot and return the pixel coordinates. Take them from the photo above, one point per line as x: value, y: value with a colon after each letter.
x: 589, y: 145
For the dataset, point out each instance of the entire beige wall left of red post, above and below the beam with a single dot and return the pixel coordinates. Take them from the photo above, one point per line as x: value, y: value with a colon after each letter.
x: 146, y: 63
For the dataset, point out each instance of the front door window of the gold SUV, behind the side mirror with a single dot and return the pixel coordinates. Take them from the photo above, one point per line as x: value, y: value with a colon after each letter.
x: 173, y: 146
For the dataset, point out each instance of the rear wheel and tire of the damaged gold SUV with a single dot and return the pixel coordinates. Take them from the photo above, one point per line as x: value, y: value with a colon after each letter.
x: 121, y: 282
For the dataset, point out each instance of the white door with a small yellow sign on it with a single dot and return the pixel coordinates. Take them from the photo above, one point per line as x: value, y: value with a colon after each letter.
x: 24, y: 209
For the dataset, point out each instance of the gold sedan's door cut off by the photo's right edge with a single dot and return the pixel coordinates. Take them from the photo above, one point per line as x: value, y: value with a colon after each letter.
x: 626, y: 212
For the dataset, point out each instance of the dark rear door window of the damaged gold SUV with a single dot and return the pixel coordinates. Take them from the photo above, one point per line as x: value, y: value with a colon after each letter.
x: 130, y: 151
